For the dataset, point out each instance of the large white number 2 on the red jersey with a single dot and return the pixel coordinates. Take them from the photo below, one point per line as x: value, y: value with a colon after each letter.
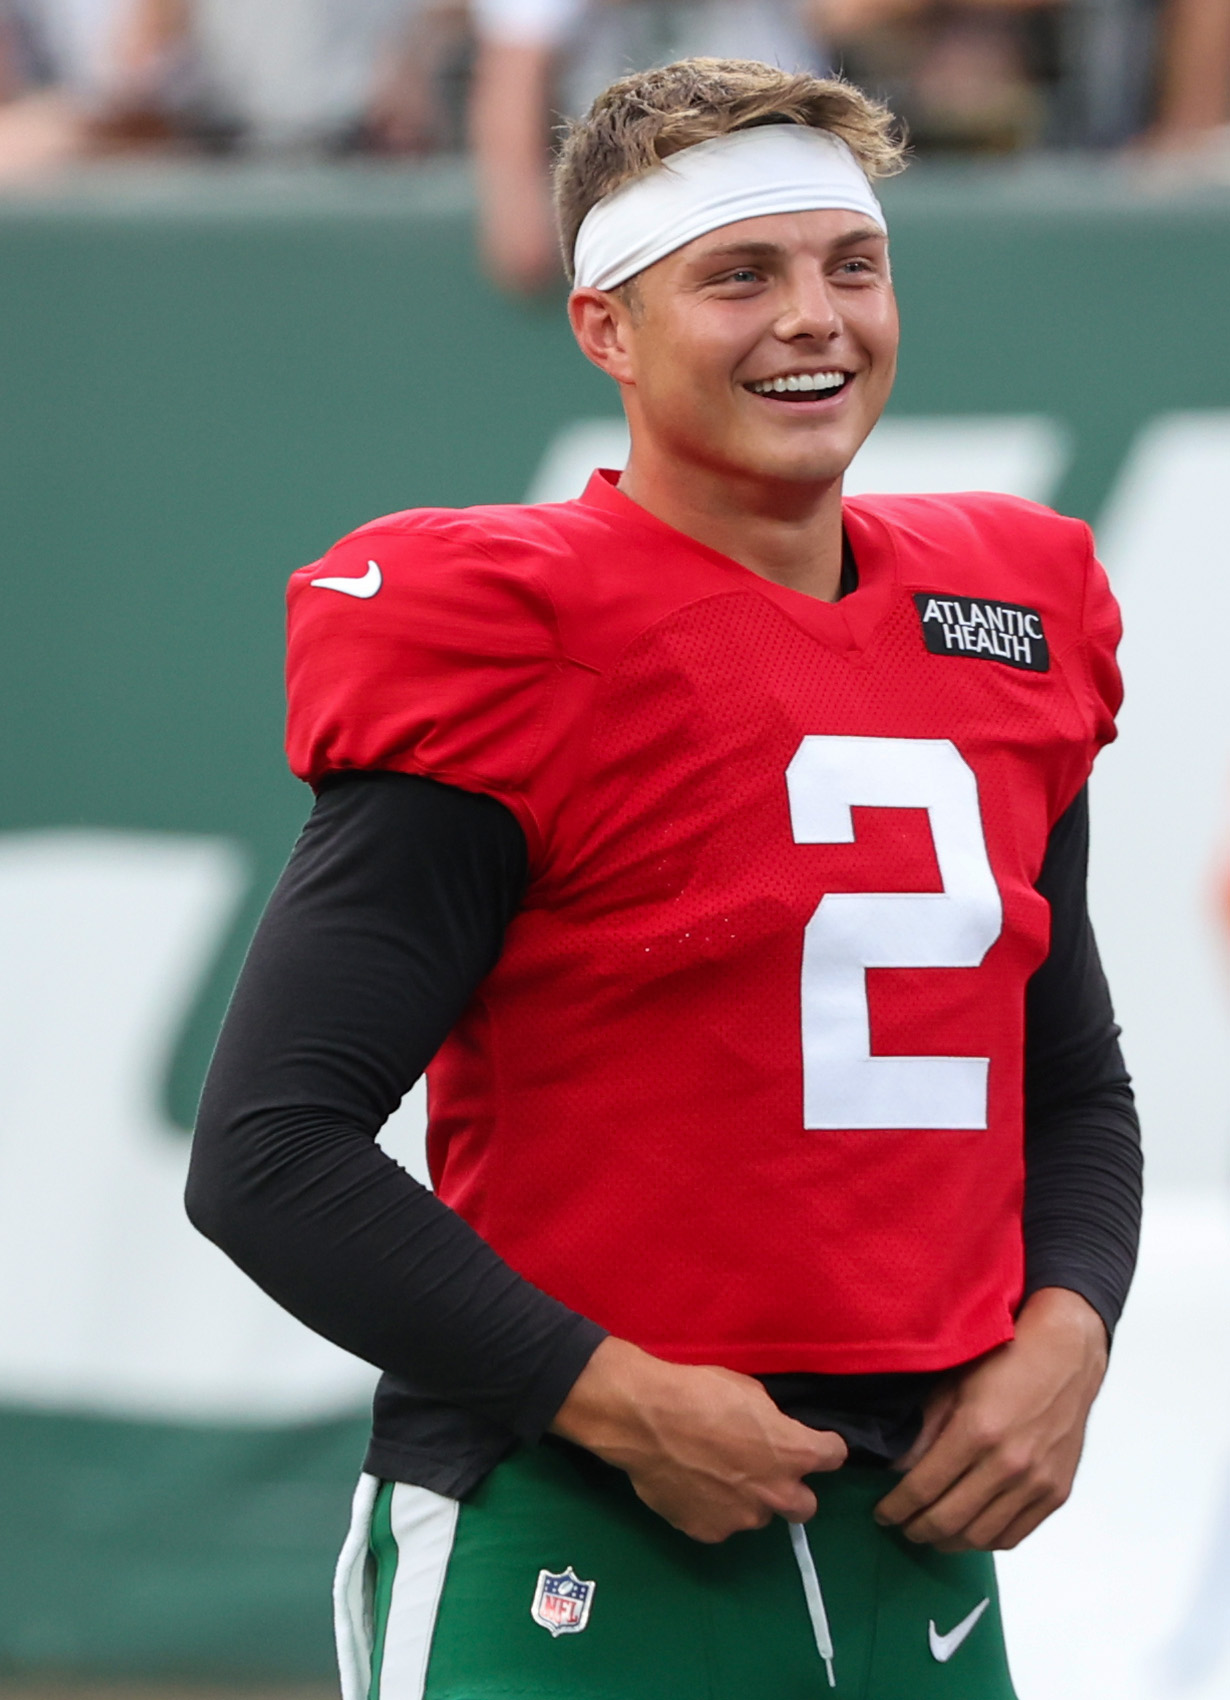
x: 850, y: 932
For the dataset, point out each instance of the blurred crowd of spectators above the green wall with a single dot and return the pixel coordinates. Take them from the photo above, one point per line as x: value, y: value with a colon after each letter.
x: 412, y: 79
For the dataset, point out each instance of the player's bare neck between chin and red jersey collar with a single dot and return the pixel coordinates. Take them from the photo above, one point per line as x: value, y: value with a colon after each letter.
x: 789, y: 533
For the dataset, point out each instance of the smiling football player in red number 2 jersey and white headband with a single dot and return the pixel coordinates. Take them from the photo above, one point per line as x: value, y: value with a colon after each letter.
x: 721, y: 847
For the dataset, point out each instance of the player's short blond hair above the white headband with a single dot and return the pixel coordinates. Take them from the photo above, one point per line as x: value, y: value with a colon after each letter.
x: 641, y: 120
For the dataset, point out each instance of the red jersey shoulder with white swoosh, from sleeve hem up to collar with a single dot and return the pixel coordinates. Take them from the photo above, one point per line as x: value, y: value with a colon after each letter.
x: 465, y: 645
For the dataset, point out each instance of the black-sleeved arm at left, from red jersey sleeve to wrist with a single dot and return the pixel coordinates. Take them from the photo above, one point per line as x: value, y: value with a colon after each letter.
x: 390, y: 915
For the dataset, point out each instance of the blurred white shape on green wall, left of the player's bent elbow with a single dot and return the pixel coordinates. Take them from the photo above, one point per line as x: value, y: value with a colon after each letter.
x: 120, y: 1305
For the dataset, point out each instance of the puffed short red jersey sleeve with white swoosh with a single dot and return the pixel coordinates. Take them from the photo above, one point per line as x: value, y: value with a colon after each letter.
x: 414, y: 650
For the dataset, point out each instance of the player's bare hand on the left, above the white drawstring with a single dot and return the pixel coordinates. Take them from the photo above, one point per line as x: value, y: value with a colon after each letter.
x: 704, y: 1448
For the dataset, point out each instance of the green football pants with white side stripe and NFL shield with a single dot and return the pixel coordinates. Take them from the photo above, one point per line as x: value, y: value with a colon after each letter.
x: 555, y: 1584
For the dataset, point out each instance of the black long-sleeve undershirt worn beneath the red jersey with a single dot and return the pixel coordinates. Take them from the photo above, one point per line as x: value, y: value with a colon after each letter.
x: 392, y: 912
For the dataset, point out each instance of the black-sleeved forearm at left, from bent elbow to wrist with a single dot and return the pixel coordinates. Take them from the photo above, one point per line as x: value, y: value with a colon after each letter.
x: 339, y: 1235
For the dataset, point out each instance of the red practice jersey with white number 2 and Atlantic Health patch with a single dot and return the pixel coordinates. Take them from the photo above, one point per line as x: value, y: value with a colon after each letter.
x: 747, y: 1084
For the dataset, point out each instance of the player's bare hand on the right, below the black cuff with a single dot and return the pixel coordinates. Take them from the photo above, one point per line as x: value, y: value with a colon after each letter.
x: 1001, y: 1442
